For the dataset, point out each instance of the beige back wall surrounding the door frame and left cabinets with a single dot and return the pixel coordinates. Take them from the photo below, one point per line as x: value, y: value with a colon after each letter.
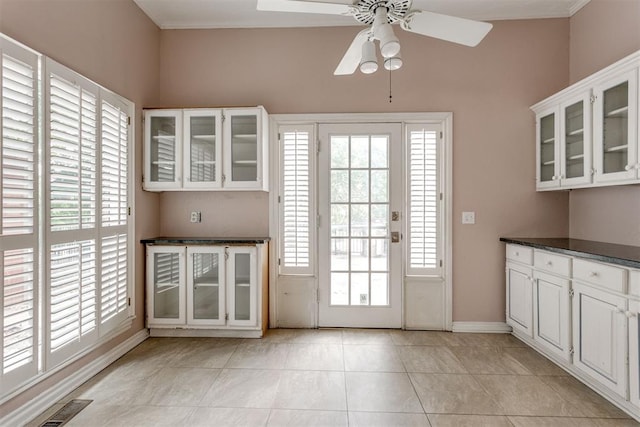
x: 488, y: 88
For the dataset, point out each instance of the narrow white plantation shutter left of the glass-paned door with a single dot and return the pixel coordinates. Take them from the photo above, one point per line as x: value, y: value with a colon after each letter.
x: 296, y: 199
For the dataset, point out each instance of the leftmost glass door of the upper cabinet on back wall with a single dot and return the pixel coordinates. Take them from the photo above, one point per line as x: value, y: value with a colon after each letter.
x: 162, y: 147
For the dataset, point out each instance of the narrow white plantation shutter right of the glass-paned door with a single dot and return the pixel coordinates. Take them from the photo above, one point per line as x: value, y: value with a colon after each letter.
x: 423, y: 203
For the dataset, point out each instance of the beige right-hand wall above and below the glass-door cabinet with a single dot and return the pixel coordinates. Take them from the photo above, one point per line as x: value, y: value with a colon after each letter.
x: 603, y: 32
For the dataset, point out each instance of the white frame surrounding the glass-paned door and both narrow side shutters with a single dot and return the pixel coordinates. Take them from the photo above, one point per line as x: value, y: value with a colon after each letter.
x: 308, y: 284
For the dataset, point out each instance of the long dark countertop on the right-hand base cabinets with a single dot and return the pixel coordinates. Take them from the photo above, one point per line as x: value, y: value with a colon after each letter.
x: 628, y: 256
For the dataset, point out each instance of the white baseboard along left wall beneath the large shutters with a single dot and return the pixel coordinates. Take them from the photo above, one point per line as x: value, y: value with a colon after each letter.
x: 42, y: 402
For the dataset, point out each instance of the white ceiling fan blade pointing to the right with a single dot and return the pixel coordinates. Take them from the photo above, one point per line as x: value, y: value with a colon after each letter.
x: 445, y: 27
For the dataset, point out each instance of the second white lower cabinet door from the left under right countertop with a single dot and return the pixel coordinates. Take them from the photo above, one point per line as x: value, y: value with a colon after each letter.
x: 551, y: 313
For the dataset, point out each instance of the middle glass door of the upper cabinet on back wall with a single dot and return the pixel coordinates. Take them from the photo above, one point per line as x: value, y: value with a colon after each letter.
x: 202, y: 148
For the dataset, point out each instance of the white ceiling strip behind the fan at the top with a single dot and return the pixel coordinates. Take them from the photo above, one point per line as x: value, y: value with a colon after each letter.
x: 180, y: 14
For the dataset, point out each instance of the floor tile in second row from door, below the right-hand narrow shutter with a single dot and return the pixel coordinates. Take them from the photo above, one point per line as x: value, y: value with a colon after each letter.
x: 430, y: 359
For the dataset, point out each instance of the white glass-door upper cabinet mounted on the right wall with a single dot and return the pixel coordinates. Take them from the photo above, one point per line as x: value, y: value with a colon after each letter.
x: 587, y: 134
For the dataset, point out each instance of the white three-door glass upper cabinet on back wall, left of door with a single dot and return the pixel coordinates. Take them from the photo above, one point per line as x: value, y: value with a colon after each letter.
x: 206, y: 149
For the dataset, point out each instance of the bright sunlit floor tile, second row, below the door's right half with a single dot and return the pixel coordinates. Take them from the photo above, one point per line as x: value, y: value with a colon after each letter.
x: 372, y: 358
